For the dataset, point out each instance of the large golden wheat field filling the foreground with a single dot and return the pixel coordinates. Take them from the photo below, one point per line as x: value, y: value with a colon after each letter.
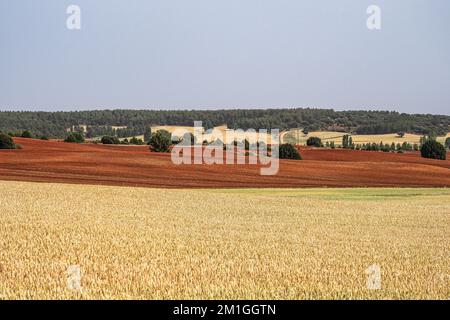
x: 136, y: 243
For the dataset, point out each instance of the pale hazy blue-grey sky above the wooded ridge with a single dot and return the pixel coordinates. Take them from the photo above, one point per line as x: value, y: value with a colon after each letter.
x: 213, y: 54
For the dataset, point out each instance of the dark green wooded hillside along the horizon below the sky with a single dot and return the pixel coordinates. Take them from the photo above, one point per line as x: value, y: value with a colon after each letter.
x: 126, y: 123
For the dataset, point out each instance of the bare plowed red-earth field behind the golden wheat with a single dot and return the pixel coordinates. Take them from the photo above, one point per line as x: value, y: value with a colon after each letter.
x: 52, y: 161
